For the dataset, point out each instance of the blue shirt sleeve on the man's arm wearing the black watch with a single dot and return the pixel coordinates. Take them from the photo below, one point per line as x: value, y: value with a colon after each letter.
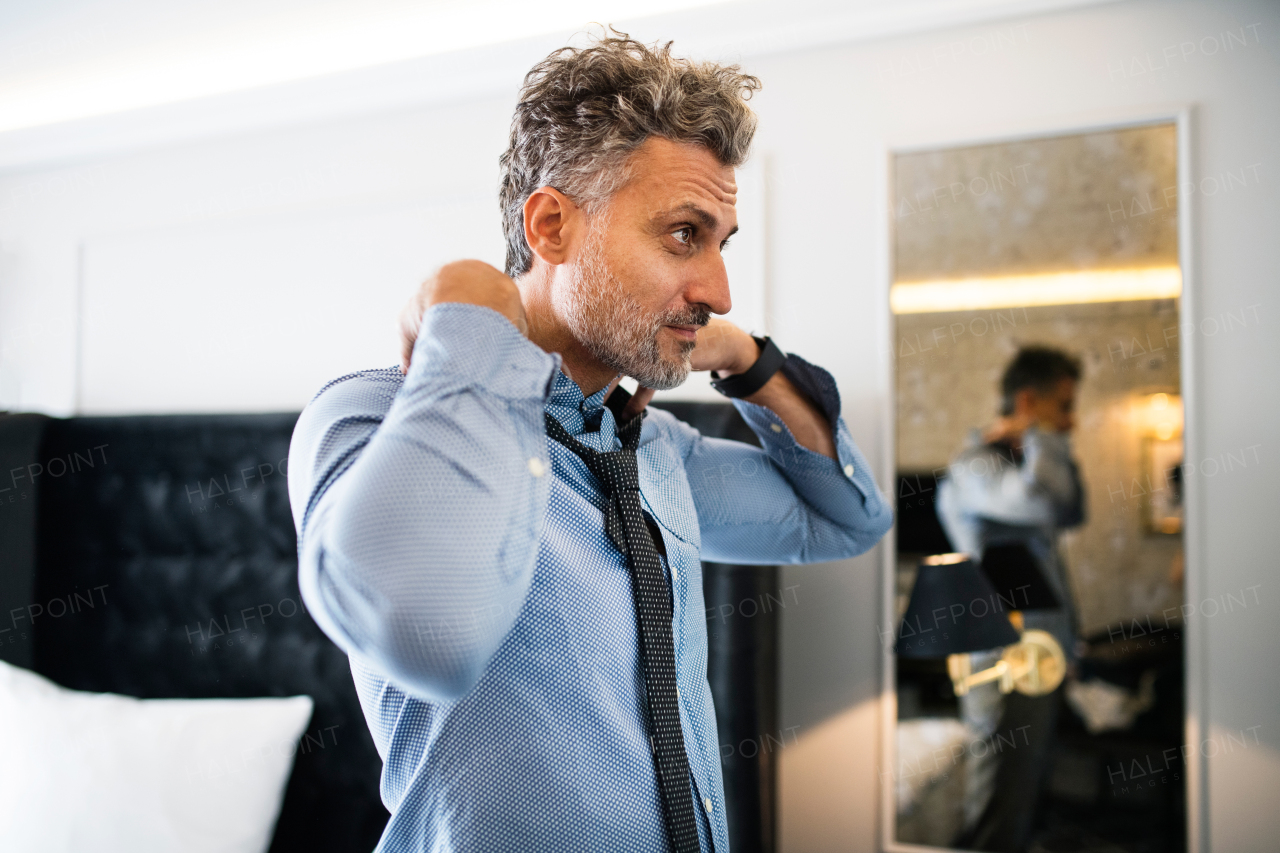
x: 783, y: 503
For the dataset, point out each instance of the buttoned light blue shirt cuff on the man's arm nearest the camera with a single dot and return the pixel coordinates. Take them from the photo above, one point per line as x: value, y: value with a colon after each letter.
x: 461, y: 345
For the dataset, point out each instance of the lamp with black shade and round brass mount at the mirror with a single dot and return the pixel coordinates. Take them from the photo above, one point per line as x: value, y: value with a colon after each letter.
x: 954, y: 610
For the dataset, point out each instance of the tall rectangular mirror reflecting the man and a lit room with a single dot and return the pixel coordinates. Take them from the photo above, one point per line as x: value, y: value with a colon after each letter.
x: 1037, y: 651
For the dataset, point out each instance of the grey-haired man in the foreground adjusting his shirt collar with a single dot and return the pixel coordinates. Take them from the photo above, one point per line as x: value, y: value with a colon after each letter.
x: 509, y: 555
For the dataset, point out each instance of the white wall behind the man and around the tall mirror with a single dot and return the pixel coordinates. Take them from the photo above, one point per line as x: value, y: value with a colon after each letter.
x: 367, y: 206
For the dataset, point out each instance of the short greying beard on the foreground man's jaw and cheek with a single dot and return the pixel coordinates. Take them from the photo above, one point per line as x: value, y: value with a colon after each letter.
x: 616, y: 330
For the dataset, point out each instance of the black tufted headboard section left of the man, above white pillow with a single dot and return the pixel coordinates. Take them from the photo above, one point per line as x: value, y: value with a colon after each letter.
x: 166, y: 565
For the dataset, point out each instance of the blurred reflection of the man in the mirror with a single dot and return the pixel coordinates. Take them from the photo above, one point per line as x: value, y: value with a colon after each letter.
x: 1017, y: 482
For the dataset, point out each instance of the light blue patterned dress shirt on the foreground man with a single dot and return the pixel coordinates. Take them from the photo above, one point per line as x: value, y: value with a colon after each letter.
x: 459, y: 556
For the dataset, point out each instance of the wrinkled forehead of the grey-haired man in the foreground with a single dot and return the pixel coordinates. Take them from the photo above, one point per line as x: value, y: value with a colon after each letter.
x: 668, y: 175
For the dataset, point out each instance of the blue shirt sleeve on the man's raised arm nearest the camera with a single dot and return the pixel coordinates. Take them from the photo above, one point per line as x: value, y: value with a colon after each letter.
x: 419, y: 501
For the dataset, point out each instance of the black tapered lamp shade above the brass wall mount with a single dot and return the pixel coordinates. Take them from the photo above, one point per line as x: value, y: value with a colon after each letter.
x: 953, y: 610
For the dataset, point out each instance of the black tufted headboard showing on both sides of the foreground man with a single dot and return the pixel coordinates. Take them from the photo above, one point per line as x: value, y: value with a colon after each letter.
x: 156, y: 556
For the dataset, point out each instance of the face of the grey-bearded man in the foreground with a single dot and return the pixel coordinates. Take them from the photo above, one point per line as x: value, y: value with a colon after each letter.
x: 650, y: 272
